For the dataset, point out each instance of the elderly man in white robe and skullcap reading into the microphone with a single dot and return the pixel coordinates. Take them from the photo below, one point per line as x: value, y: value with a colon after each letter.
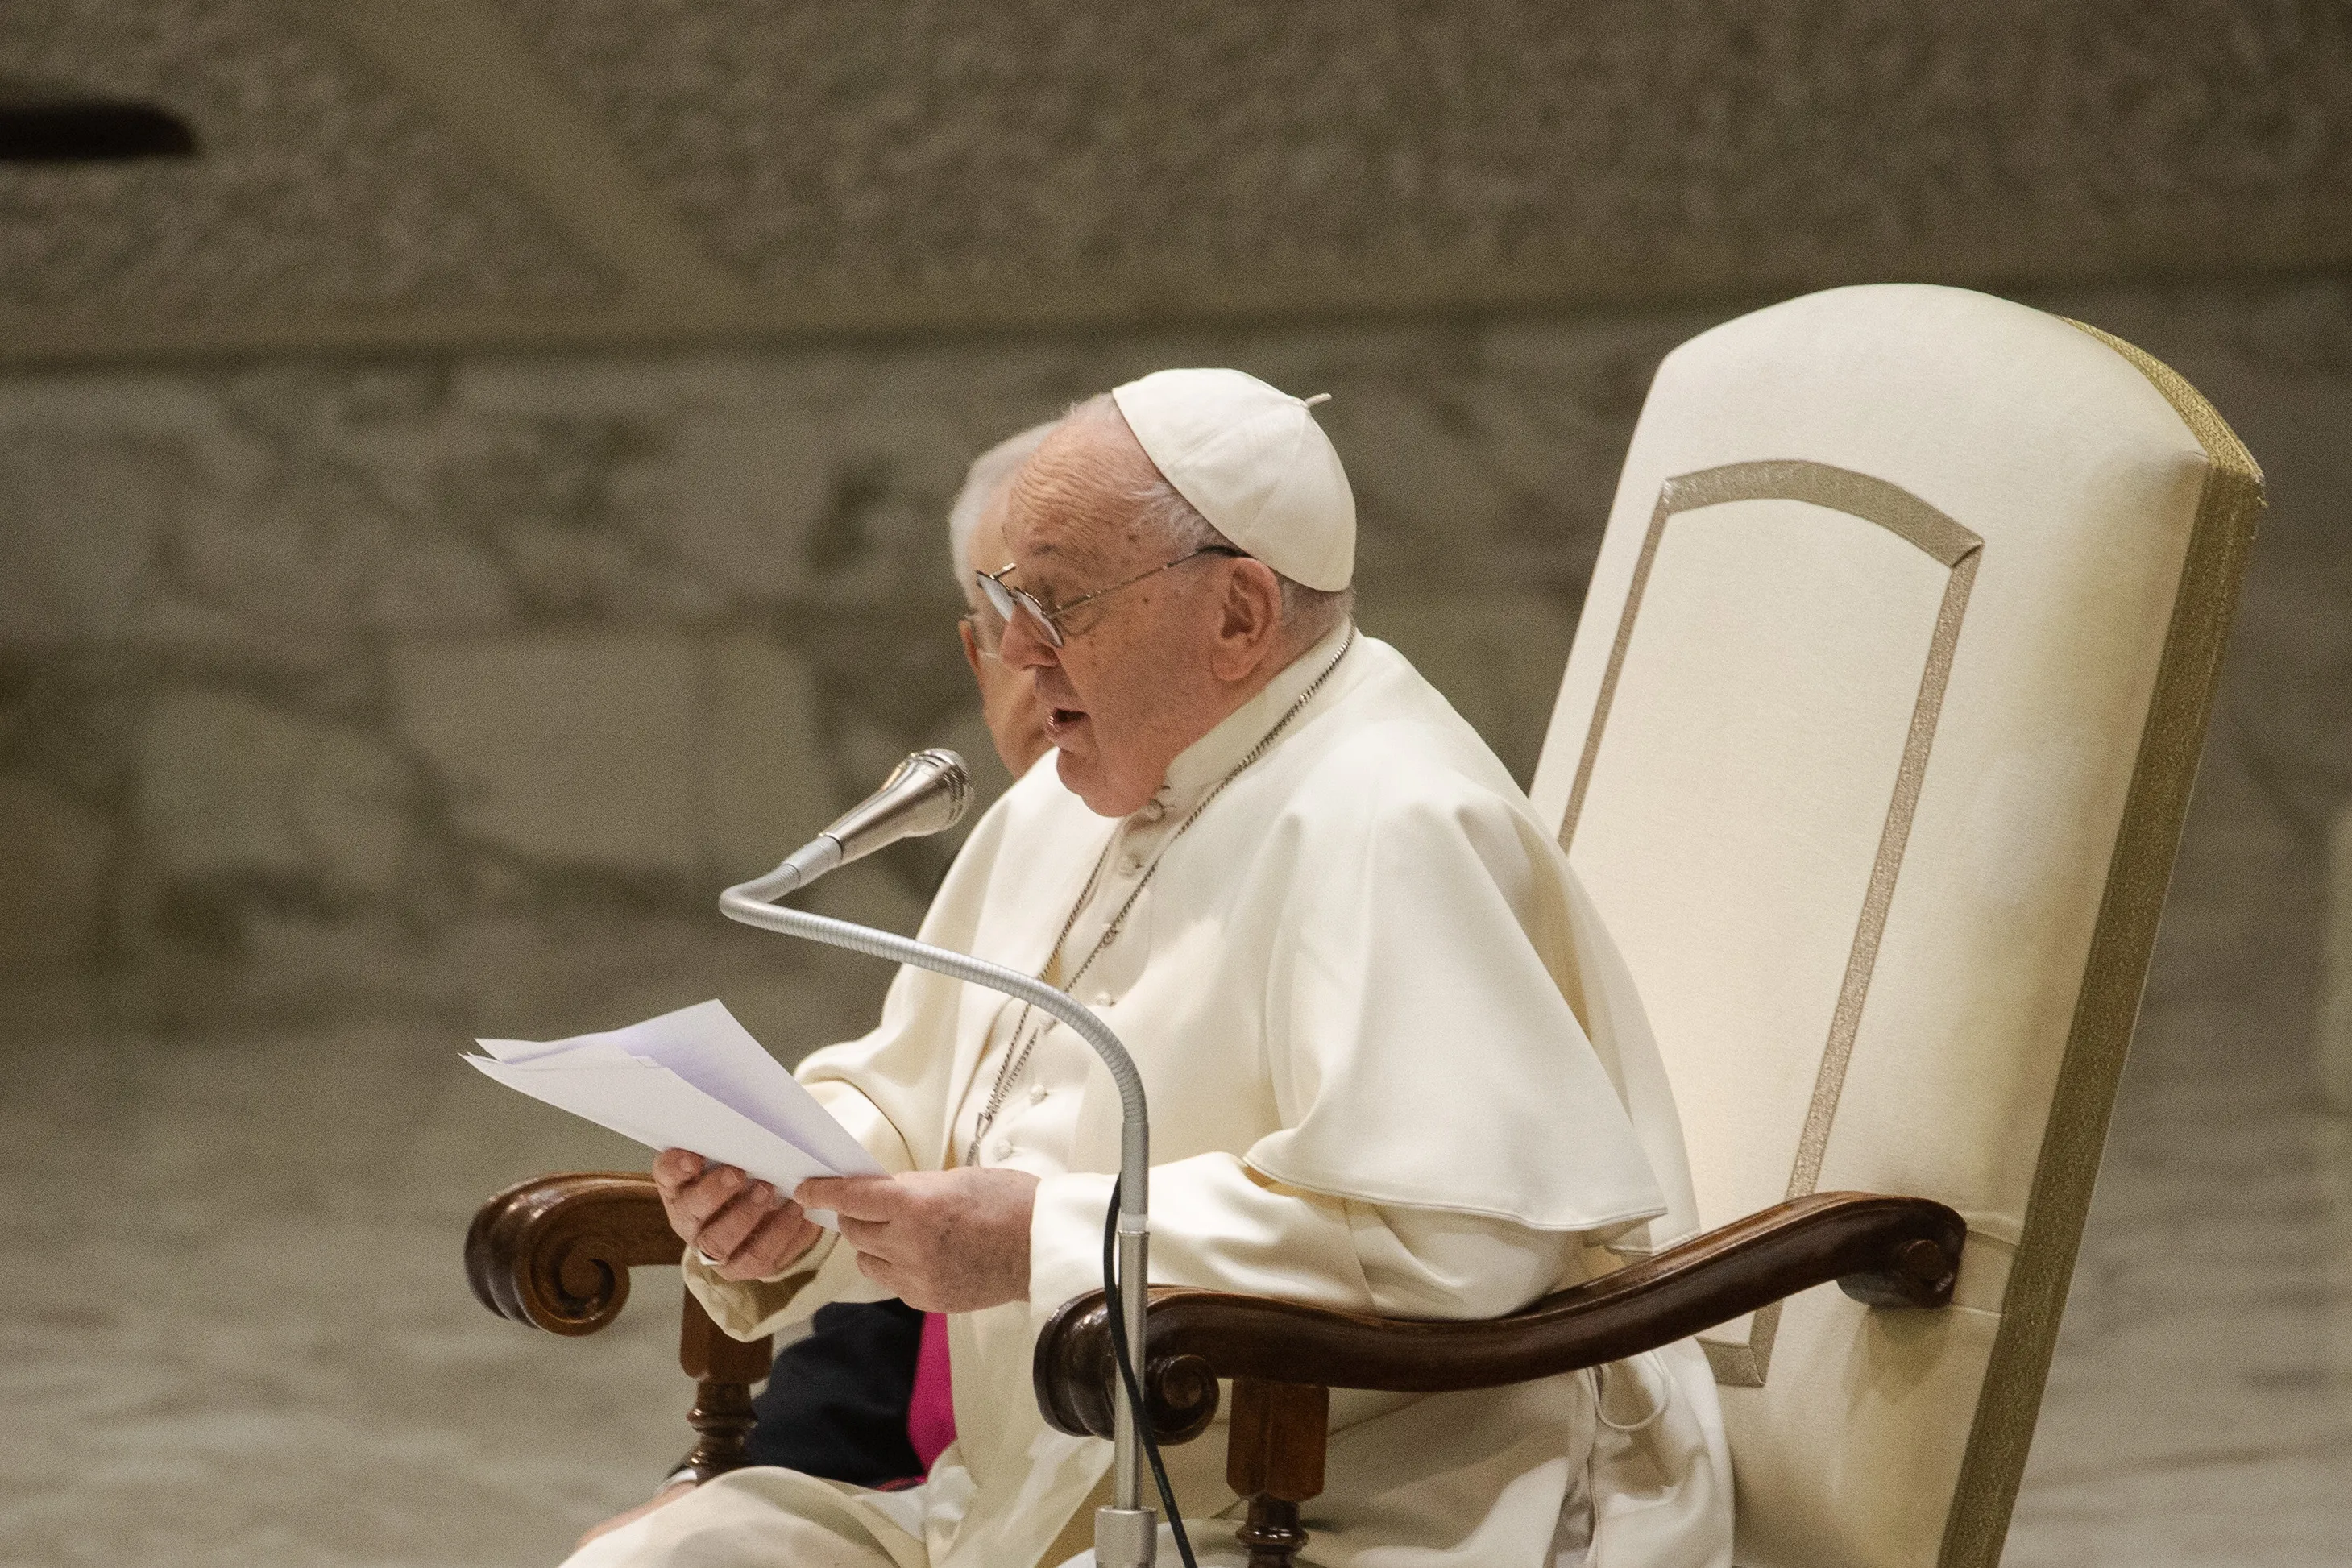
x: 1394, y: 1064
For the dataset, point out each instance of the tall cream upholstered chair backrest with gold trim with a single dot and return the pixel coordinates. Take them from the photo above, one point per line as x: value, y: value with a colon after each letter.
x: 1873, y: 753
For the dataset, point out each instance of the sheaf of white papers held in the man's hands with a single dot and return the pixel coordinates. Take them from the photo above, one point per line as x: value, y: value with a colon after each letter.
x: 688, y: 1080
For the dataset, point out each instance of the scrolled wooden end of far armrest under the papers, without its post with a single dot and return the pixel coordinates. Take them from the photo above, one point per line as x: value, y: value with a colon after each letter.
x: 556, y: 1252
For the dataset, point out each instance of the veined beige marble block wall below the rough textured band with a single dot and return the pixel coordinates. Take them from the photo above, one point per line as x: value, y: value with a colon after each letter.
x: 457, y: 688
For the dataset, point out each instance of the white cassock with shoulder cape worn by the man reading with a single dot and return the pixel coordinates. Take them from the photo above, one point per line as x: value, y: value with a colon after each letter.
x: 1356, y: 991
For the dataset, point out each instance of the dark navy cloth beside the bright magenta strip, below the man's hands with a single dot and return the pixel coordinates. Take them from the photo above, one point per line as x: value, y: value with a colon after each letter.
x: 836, y: 1405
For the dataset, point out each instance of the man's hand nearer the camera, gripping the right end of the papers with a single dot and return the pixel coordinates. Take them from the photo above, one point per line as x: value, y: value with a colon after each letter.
x: 937, y: 1240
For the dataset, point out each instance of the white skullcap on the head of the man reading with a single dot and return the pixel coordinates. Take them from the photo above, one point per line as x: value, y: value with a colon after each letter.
x: 1255, y: 464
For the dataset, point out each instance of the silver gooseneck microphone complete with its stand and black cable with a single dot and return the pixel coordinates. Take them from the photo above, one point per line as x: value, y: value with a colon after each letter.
x: 926, y: 793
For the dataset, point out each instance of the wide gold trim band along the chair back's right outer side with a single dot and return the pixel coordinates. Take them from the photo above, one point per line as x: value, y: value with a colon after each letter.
x: 2113, y: 977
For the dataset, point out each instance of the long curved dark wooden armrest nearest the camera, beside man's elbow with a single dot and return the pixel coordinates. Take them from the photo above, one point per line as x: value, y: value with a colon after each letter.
x: 1887, y: 1252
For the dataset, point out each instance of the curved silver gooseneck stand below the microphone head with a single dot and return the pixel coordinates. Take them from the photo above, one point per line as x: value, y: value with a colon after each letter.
x: 1125, y: 1534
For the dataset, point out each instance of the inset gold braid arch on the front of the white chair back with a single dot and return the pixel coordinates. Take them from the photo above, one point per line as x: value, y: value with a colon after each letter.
x: 1953, y: 547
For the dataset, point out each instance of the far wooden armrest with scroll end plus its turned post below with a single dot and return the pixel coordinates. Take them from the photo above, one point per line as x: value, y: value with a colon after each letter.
x: 556, y: 1254
